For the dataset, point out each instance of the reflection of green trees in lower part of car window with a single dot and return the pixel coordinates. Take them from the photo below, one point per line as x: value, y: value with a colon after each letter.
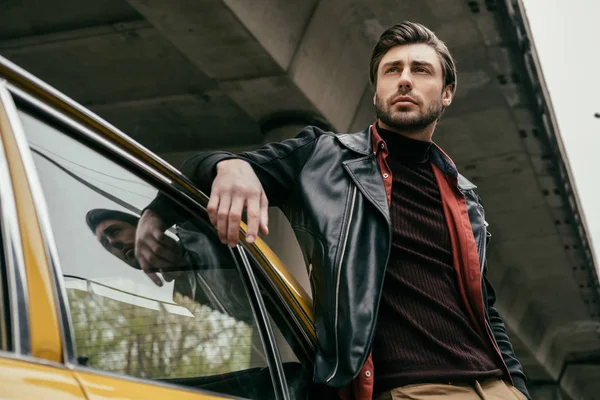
x: 138, y: 341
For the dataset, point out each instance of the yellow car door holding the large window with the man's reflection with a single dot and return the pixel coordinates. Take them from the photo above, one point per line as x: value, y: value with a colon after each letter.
x: 203, y: 332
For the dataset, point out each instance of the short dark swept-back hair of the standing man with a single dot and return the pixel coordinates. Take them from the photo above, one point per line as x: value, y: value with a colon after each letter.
x: 412, y: 33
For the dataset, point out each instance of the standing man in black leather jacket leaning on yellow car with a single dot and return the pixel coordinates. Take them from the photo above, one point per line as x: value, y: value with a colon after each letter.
x: 395, y: 235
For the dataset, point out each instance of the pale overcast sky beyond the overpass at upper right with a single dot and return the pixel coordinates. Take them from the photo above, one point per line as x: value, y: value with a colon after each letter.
x: 567, y: 38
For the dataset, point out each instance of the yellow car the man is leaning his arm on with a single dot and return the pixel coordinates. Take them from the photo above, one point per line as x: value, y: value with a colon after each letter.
x: 80, y: 320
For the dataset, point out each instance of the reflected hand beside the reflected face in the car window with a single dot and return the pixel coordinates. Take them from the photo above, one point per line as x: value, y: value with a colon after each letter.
x: 155, y: 250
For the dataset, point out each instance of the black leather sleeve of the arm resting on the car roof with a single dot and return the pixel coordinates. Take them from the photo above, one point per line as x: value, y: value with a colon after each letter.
x: 277, y: 166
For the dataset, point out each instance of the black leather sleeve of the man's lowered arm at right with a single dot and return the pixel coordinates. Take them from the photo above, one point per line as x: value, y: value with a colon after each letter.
x: 501, y: 336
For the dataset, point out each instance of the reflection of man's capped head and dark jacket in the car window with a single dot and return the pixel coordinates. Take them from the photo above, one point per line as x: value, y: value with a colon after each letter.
x: 200, y: 268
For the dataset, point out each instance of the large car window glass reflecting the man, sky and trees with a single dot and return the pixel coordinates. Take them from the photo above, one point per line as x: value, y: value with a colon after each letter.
x: 197, y: 329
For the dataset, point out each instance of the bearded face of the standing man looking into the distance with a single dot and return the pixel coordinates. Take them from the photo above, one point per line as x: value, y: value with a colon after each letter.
x: 410, y: 93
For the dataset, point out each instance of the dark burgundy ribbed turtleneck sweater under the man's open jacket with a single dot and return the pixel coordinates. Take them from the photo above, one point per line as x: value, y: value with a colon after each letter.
x: 423, y: 333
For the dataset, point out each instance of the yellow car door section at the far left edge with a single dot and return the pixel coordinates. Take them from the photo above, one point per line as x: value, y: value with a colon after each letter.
x: 30, y: 346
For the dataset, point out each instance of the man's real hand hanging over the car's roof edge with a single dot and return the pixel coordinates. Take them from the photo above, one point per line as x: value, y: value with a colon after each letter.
x: 236, y: 187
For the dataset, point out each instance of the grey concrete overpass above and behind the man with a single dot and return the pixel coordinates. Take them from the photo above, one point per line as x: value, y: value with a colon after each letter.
x: 185, y: 75
